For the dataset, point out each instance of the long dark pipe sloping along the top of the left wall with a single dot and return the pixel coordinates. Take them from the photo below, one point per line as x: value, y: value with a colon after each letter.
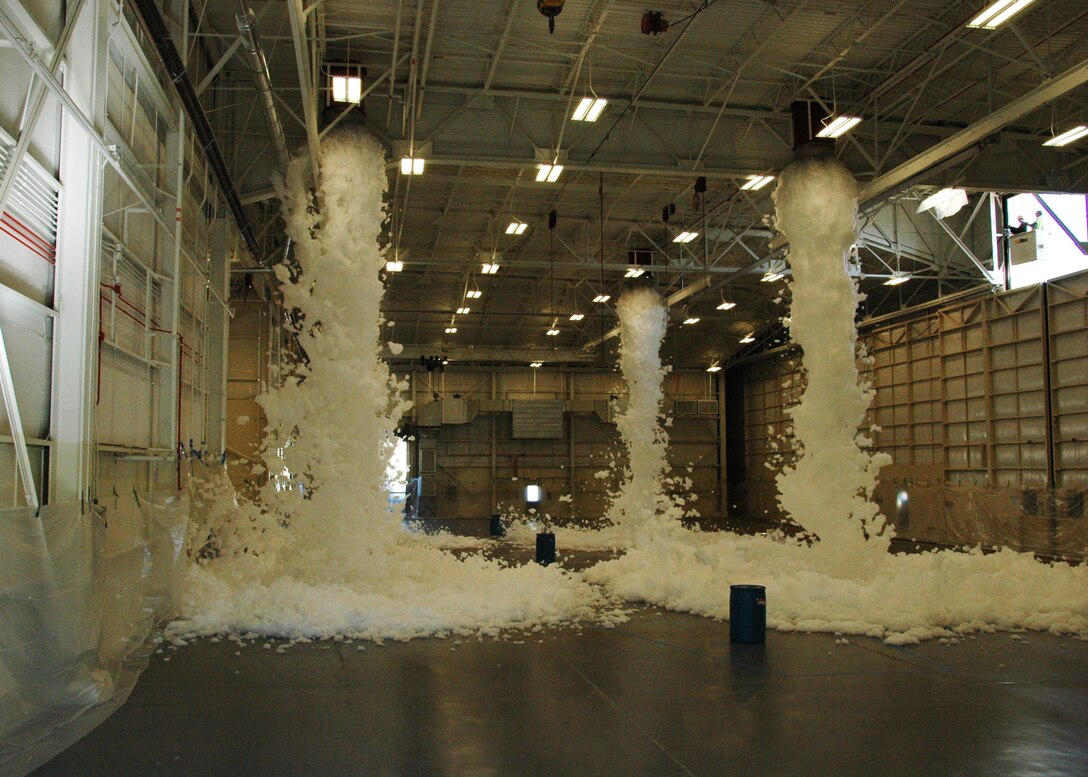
x: 156, y: 29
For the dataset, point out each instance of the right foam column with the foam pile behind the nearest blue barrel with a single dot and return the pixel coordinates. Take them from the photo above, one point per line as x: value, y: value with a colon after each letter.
x: 846, y: 582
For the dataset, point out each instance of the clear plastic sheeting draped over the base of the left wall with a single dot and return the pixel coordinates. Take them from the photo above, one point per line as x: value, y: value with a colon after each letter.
x: 80, y: 593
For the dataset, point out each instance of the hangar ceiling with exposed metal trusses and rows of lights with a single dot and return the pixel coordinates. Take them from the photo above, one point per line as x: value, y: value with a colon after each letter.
x: 485, y: 93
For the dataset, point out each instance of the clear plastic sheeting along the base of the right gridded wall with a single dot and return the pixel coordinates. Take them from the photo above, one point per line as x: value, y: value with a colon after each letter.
x: 1048, y: 523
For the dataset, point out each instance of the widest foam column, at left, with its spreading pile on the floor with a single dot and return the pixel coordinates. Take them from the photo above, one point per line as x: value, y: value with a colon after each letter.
x: 326, y: 556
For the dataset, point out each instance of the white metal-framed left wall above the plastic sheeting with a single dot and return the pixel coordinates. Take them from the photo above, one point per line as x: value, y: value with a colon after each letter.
x: 112, y: 368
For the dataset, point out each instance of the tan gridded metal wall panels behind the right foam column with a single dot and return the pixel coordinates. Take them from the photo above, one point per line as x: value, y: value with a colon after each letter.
x: 990, y: 392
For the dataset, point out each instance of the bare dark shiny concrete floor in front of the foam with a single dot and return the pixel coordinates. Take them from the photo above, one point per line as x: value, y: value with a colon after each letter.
x: 663, y: 695
